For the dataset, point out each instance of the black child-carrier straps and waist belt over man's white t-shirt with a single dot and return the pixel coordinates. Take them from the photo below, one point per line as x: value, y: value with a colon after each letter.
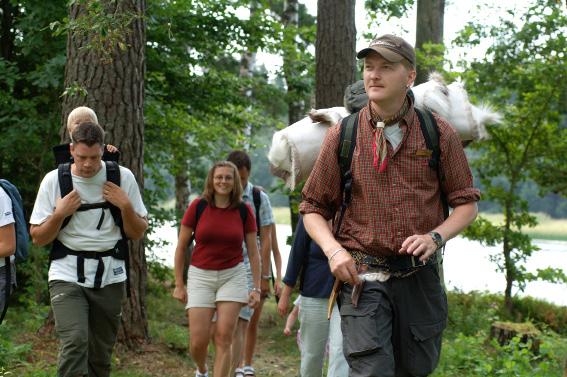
x: 119, y: 251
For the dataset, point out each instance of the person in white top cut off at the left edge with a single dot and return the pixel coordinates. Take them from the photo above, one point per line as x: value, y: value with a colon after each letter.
x: 7, y: 246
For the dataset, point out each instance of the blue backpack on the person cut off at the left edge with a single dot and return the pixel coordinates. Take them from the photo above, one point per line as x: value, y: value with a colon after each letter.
x: 22, y: 236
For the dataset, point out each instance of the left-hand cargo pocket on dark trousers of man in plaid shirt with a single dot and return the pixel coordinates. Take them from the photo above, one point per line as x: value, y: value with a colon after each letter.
x: 360, y: 325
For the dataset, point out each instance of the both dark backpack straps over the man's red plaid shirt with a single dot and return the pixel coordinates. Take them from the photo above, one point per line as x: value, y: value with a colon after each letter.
x: 347, y: 144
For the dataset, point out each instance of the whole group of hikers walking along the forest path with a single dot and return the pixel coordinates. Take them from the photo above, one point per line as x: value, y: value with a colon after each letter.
x: 367, y: 250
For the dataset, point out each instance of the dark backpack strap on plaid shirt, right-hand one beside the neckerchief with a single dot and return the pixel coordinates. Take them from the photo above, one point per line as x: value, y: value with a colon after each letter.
x: 430, y: 132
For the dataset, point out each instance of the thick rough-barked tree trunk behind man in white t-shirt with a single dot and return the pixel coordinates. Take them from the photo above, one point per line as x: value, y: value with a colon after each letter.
x: 115, y: 90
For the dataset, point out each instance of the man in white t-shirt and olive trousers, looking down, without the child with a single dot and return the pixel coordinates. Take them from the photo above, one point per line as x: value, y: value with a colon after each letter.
x: 87, y: 261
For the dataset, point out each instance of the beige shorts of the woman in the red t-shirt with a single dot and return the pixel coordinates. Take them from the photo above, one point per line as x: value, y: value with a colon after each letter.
x: 206, y: 287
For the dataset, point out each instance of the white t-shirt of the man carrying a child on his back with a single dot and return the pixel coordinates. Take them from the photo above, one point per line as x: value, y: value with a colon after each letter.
x: 81, y: 233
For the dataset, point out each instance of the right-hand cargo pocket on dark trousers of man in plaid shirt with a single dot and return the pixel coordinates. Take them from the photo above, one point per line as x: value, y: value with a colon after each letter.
x: 425, y: 347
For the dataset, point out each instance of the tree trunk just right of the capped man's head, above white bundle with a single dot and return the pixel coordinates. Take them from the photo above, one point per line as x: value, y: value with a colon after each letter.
x: 429, y: 29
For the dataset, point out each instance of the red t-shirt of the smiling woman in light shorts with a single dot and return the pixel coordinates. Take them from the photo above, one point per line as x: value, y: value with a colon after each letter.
x: 219, y: 235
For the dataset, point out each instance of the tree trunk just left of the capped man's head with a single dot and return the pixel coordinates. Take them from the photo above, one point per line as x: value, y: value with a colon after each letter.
x: 335, y: 50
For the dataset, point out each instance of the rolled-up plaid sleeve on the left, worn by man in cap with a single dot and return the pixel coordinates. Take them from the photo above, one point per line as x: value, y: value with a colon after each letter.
x: 322, y: 192
